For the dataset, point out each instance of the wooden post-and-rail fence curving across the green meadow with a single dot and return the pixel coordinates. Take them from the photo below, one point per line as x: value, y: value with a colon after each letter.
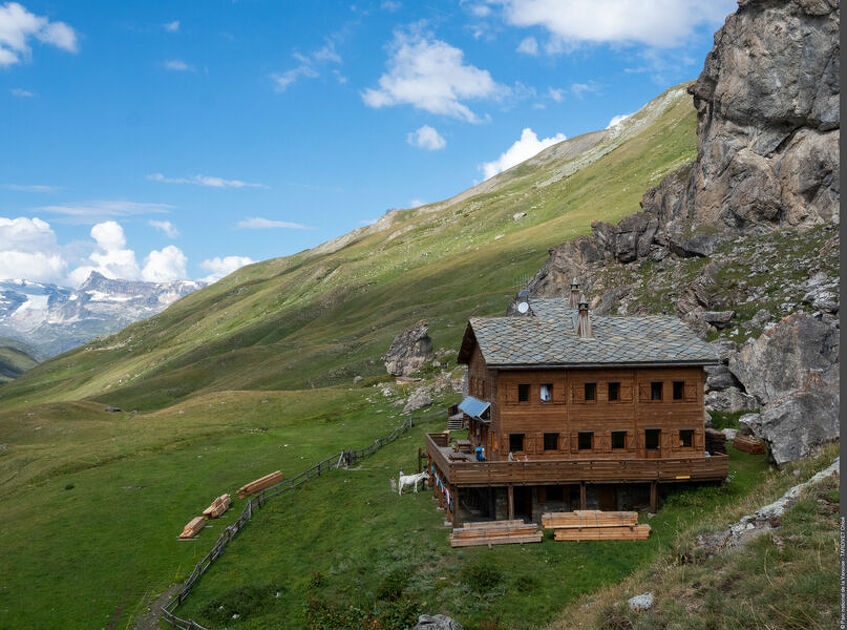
x: 343, y: 458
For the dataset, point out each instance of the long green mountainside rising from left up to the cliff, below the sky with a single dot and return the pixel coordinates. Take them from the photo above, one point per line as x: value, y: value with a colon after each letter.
x: 324, y: 315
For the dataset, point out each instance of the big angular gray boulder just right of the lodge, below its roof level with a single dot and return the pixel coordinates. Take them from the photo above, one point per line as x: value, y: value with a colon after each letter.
x: 782, y: 358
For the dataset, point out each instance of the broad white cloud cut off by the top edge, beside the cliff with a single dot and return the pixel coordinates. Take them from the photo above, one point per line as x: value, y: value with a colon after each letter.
x: 657, y: 23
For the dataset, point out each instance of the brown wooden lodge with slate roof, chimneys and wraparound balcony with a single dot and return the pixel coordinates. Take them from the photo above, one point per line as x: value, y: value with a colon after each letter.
x: 575, y: 411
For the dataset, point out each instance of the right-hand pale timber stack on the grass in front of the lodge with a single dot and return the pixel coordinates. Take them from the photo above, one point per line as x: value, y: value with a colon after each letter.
x: 595, y: 525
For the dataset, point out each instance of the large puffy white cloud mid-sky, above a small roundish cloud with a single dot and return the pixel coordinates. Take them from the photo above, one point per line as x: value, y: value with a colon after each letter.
x: 431, y: 75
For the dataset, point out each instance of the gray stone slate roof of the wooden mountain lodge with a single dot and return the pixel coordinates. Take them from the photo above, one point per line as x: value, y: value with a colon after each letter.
x: 548, y: 337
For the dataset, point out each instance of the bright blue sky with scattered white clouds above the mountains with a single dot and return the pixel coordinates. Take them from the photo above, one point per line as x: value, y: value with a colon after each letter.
x: 164, y: 140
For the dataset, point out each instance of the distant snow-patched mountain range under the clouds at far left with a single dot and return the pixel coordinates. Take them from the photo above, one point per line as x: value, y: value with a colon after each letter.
x: 53, y: 319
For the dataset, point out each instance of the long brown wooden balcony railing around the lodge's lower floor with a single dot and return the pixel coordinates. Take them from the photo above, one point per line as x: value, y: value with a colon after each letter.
x: 561, y: 471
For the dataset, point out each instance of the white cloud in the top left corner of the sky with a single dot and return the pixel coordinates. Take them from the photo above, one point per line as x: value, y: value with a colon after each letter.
x: 18, y: 26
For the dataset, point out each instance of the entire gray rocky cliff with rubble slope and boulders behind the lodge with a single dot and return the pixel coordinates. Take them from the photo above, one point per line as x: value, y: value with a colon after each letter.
x: 747, y: 233
